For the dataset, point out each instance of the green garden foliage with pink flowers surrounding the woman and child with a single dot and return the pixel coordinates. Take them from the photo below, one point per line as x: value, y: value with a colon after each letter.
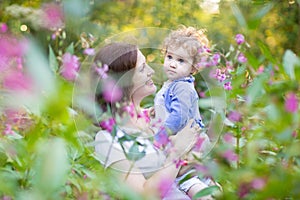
x: 45, y: 142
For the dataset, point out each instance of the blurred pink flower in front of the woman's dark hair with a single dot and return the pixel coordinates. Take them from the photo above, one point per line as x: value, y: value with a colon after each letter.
x: 111, y: 92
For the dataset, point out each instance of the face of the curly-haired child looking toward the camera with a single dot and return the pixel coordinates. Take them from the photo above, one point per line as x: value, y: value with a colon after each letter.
x: 178, y: 63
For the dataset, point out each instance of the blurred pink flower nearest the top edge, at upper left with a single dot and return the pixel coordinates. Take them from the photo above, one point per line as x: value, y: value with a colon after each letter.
x: 52, y: 16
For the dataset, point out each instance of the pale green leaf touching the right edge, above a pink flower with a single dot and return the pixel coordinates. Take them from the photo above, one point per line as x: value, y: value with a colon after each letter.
x: 290, y: 60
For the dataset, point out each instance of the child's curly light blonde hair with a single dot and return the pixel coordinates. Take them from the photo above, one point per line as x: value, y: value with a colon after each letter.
x: 189, y: 38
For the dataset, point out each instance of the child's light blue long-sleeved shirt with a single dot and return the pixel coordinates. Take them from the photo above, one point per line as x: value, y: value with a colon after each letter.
x: 181, y: 103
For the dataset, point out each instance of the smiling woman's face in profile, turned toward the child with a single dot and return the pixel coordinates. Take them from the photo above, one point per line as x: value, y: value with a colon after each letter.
x: 143, y: 85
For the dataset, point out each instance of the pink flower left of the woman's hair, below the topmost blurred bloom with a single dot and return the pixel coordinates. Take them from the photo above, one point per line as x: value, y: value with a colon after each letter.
x: 70, y: 66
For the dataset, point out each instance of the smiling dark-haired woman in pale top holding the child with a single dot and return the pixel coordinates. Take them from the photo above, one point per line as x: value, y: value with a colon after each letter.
x: 142, y: 166
